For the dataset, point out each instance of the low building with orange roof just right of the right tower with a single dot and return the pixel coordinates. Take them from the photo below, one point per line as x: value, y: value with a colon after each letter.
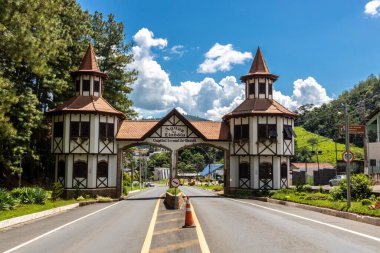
x: 319, y: 173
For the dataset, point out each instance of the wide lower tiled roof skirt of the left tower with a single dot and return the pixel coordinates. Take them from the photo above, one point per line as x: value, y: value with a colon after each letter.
x: 86, y: 104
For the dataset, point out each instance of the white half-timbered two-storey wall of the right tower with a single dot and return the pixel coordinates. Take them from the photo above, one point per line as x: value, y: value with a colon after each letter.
x: 262, y: 160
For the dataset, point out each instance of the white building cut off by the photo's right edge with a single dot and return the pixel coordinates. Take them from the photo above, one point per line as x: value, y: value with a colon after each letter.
x: 373, y: 144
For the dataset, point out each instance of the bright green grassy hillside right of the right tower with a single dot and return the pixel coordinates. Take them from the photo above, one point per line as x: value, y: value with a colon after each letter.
x: 326, y: 145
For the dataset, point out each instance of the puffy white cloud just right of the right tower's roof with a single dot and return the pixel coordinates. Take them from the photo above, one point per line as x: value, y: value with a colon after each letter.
x: 307, y: 91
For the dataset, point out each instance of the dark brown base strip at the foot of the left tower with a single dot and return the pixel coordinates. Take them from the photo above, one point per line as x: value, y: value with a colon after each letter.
x: 104, y: 192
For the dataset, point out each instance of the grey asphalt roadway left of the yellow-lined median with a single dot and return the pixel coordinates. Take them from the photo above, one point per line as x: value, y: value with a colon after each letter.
x: 121, y: 227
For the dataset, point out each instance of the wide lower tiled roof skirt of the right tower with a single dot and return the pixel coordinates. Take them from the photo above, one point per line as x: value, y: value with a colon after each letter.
x: 259, y: 106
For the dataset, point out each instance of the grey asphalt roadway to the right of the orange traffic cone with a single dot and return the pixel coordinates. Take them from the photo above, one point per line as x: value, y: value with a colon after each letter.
x: 252, y: 226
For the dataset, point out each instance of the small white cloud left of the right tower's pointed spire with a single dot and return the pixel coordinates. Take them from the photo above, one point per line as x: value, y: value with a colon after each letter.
x: 221, y: 58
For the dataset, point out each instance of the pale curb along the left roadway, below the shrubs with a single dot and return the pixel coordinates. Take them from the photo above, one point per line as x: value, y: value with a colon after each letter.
x: 42, y: 214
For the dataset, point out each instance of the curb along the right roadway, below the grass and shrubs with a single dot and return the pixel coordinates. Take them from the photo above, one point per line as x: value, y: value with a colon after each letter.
x: 341, y: 214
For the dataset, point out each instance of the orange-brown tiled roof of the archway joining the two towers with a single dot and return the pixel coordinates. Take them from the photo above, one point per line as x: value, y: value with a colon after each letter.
x: 142, y: 129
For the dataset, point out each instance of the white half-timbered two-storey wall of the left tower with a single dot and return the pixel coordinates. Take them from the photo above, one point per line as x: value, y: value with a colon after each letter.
x: 86, y: 151
